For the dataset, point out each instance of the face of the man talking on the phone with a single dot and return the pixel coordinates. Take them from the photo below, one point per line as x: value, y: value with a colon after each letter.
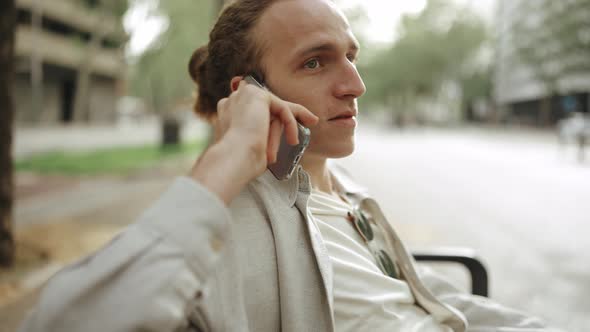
x: 309, y: 59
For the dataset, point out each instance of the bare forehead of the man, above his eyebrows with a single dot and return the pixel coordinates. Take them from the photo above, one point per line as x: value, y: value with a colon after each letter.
x: 290, y: 26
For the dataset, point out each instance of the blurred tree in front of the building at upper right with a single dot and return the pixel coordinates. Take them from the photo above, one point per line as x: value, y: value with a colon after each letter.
x: 553, y: 41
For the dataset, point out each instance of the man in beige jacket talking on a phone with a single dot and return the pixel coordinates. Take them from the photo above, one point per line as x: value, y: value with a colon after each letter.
x: 312, y: 253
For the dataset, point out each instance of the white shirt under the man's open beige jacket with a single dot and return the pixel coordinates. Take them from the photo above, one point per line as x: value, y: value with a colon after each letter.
x: 364, y: 298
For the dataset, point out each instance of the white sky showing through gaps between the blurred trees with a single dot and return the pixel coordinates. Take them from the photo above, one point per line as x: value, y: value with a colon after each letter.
x: 383, y: 16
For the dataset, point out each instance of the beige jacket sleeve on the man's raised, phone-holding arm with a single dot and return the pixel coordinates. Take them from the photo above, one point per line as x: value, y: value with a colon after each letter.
x: 151, y: 277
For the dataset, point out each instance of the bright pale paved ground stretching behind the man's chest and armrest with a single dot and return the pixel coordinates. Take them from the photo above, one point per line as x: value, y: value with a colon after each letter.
x: 520, y: 201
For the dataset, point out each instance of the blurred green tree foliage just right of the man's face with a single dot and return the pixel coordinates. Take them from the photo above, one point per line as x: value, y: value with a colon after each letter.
x: 435, y: 46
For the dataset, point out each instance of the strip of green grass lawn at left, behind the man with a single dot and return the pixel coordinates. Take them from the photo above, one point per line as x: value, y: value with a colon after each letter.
x: 106, y: 161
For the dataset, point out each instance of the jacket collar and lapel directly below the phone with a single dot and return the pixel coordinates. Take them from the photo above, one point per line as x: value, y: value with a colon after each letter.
x: 304, y: 272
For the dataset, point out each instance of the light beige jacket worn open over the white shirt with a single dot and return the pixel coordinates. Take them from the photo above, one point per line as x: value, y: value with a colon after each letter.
x: 190, y: 263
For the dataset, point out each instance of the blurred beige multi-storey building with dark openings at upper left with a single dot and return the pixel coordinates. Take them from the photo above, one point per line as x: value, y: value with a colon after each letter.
x: 69, y: 61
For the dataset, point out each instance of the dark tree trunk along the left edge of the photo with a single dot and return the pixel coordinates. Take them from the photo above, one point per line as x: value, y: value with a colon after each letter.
x: 7, y: 32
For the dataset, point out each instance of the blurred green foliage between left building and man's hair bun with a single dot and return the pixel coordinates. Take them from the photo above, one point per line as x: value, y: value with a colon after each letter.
x: 160, y: 75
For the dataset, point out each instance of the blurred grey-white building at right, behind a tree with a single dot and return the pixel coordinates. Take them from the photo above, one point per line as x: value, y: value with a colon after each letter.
x: 543, y: 60
